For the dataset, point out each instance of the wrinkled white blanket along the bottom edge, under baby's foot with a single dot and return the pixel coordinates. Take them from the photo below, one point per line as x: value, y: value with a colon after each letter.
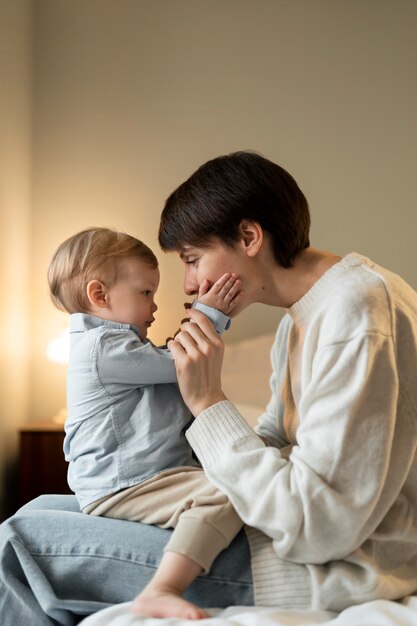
x: 377, y: 613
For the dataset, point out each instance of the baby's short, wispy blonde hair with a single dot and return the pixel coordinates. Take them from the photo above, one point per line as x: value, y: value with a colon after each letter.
x: 93, y: 253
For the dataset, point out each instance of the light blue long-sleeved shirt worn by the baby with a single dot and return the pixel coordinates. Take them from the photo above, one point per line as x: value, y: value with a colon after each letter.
x: 126, y: 417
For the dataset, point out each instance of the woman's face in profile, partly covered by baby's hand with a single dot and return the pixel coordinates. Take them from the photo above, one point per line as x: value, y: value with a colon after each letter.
x: 211, y: 263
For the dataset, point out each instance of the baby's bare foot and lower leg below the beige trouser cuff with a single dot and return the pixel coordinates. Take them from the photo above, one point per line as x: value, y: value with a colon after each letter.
x: 162, y: 597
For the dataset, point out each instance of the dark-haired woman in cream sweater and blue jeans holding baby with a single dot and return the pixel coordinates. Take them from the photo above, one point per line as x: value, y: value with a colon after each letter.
x: 328, y: 483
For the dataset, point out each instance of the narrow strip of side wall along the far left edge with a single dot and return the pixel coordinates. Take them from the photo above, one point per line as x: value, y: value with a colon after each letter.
x: 15, y: 223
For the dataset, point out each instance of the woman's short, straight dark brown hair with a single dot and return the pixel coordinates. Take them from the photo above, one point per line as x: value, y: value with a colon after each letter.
x: 226, y: 190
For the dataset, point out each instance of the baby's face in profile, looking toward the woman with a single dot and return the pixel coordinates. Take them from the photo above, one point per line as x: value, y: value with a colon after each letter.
x: 131, y: 297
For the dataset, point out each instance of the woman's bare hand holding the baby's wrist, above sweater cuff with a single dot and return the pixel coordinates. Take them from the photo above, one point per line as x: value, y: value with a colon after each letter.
x: 198, y: 353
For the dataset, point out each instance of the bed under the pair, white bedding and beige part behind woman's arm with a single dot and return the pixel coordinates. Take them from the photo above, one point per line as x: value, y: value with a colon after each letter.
x: 246, y: 372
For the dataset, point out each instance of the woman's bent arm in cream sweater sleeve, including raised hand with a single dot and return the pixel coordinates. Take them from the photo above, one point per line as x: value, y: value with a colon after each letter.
x: 340, y: 480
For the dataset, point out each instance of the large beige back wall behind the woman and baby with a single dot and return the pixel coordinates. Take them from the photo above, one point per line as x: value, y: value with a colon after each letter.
x: 130, y: 96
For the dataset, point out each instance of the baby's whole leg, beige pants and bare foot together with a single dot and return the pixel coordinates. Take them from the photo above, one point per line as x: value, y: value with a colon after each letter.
x: 204, y: 523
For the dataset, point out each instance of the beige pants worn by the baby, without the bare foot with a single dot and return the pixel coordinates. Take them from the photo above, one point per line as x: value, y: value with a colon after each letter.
x: 181, y: 498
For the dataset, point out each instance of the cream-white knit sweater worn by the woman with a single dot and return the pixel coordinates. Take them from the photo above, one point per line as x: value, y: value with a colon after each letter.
x: 332, y: 501
